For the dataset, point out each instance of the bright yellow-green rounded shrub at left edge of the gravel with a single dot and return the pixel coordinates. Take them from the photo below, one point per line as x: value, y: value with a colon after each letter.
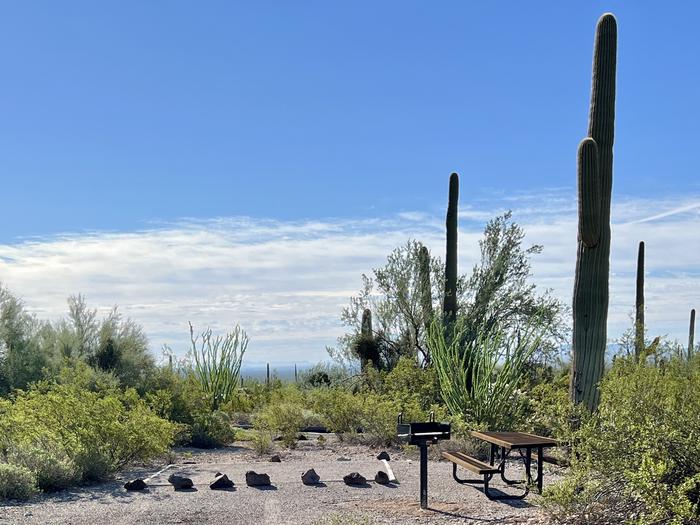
x: 99, y: 433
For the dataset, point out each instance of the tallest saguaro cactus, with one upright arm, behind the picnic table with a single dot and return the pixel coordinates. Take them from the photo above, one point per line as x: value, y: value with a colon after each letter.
x: 595, y: 159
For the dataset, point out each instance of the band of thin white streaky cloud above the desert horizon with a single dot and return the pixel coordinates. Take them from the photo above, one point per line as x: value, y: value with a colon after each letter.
x: 285, y: 282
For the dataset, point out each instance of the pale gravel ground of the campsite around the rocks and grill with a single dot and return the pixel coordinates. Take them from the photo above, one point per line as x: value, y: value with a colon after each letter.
x: 288, y: 501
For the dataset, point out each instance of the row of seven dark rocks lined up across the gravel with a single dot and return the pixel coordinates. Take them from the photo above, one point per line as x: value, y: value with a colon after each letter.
x: 253, y: 479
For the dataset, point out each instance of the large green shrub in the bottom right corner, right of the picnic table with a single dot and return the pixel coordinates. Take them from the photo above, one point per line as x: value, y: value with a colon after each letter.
x: 637, y: 459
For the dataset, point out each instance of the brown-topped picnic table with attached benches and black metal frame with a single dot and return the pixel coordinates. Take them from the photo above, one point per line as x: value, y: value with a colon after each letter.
x: 530, y: 447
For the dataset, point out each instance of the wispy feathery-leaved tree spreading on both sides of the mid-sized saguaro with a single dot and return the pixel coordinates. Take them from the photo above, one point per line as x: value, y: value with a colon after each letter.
x: 498, y: 292
